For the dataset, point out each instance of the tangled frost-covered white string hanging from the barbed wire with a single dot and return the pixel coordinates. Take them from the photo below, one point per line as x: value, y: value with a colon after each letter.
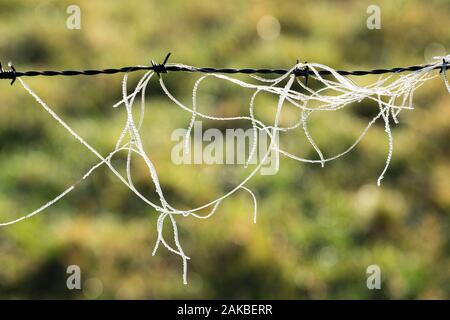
x: 392, y: 94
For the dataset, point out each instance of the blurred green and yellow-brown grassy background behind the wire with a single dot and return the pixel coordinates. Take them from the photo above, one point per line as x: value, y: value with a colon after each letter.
x: 318, y: 228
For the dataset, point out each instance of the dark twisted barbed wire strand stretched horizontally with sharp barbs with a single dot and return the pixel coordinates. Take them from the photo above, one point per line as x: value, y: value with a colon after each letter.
x: 159, y: 68
